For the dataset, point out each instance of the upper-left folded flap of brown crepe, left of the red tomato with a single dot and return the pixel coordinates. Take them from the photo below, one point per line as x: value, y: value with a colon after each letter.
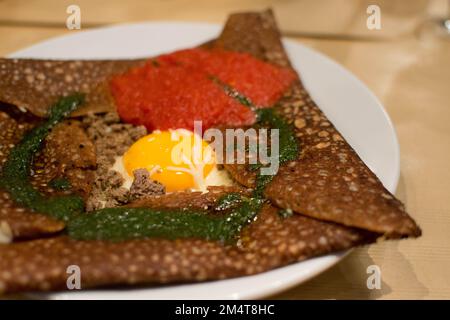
x: 35, y: 85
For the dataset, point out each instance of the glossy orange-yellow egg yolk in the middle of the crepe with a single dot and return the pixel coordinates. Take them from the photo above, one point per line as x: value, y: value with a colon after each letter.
x: 179, y: 159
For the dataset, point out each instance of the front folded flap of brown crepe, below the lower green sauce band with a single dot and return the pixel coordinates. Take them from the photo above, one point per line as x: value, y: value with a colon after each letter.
x: 271, y: 241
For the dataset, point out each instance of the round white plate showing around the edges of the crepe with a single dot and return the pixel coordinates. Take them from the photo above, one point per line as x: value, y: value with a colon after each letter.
x: 348, y: 103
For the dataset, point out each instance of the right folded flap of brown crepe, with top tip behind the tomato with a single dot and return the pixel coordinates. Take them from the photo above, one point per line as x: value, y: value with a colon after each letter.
x: 328, y: 181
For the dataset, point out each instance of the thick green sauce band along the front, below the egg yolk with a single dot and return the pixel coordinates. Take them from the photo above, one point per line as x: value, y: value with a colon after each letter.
x: 116, y: 224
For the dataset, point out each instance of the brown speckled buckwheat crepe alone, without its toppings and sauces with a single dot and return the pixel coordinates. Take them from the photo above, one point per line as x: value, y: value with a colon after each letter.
x: 338, y: 202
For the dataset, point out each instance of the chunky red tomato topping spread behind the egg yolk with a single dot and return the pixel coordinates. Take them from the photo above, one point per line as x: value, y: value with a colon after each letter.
x: 177, y: 89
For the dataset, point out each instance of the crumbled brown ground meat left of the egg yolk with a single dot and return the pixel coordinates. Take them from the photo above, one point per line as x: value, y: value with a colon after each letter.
x: 111, y: 139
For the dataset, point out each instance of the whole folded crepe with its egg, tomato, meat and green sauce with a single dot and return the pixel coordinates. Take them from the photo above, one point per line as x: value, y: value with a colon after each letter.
x: 102, y: 167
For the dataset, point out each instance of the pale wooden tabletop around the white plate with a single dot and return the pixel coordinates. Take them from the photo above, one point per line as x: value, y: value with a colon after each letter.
x: 408, y: 72
